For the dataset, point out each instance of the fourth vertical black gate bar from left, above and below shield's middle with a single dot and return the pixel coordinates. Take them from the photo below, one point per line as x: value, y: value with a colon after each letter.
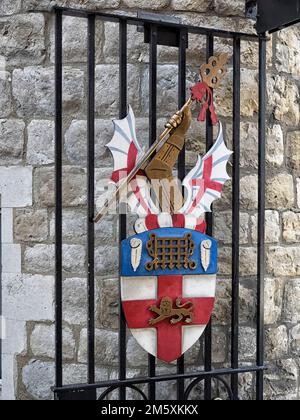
x: 152, y: 138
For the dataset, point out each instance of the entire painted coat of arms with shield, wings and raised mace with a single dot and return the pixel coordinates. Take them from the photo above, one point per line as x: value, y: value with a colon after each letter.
x: 169, y: 267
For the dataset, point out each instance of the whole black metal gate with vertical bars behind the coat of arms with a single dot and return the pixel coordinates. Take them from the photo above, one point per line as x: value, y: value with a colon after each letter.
x: 88, y: 391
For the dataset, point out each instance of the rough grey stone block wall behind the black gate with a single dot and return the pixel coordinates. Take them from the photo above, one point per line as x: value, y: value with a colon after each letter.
x: 26, y: 185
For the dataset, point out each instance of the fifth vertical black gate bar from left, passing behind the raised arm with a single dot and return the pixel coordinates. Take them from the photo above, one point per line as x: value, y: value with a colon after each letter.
x: 181, y: 161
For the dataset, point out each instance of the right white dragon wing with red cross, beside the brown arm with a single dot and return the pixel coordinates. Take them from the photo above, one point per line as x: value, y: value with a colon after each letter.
x: 205, y: 181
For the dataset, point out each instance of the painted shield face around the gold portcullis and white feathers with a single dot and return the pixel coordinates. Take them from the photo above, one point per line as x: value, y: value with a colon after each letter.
x: 143, y: 297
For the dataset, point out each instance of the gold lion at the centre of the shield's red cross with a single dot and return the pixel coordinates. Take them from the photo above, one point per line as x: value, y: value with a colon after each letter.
x: 166, y: 311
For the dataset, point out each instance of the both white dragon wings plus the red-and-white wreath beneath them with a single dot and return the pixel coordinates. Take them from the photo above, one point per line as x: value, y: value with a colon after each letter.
x: 203, y: 184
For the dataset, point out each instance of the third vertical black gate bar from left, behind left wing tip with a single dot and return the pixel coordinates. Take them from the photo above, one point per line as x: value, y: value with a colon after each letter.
x: 123, y: 218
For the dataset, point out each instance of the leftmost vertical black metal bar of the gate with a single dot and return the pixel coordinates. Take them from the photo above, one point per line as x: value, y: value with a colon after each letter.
x: 58, y: 199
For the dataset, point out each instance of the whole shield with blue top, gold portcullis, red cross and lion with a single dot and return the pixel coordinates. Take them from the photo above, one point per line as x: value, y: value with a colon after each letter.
x: 168, y: 283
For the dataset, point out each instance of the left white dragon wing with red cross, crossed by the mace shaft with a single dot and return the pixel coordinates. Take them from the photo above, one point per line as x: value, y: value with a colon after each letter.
x: 127, y: 152
